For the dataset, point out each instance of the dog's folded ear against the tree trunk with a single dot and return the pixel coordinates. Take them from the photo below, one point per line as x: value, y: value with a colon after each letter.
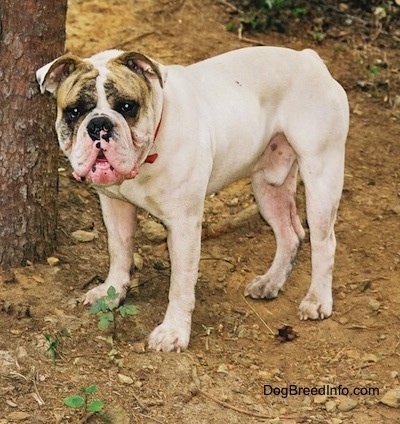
x: 51, y: 75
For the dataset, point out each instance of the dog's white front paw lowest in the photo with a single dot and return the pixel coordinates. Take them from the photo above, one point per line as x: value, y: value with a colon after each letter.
x: 169, y: 338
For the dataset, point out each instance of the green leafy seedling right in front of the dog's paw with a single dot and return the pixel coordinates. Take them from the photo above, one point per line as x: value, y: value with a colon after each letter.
x: 108, y: 310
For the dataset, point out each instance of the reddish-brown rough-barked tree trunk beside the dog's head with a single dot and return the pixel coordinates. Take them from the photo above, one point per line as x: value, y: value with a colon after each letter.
x: 32, y: 33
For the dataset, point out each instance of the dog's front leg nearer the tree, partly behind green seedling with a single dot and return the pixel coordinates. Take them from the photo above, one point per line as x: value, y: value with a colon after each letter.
x: 120, y: 220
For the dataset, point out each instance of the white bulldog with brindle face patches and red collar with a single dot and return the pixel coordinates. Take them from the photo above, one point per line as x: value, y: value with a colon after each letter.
x: 162, y: 138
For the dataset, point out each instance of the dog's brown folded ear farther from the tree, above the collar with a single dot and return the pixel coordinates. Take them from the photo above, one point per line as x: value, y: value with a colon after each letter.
x: 143, y: 65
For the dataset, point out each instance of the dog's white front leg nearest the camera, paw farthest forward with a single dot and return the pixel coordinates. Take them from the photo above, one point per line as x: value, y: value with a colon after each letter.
x: 184, y: 239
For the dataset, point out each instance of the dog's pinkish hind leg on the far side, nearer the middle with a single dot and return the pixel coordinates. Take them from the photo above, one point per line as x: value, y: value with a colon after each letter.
x: 274, y: 183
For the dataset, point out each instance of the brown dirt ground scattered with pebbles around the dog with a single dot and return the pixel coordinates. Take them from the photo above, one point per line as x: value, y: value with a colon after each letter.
x: 233, y: 359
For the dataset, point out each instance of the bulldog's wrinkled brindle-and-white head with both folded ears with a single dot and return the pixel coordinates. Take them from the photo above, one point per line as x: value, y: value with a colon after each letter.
x: 108, y: 109
